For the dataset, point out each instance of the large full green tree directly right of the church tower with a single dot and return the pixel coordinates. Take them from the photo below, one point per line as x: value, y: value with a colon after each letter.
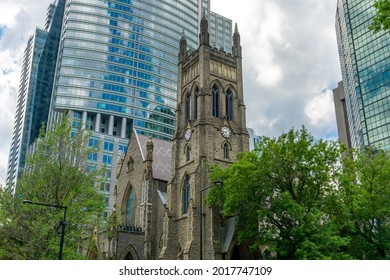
x: 283, y: 195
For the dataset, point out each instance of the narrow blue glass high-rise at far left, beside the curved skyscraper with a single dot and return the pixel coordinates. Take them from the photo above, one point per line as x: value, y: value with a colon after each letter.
x: 35, y: 88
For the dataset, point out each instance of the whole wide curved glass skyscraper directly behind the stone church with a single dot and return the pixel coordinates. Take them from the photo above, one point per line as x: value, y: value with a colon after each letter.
x: 117, y: 70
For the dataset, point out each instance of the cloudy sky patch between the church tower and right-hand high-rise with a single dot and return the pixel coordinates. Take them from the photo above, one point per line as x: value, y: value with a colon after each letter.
x: 290, y: 63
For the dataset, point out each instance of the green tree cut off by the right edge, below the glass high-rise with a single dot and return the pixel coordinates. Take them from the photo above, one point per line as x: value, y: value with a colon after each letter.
x: 365, y: 194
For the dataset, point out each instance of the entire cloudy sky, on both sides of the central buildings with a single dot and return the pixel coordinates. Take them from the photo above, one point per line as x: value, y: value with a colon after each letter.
x: 290, y: 62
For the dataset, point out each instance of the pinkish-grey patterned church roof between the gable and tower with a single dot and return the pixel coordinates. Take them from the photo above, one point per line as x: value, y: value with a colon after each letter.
x: 162, y: 156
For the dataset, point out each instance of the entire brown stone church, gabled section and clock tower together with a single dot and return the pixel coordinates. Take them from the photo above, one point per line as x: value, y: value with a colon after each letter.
x: 210, y: 129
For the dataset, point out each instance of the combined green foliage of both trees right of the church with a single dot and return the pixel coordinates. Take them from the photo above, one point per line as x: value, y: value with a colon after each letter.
x: 302, y: 198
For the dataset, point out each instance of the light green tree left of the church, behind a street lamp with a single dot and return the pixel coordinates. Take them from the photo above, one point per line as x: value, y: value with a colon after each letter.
x: 56, y: 174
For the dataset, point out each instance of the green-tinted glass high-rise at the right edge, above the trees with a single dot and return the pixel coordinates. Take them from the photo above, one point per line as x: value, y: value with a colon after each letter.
x: 365, y: 68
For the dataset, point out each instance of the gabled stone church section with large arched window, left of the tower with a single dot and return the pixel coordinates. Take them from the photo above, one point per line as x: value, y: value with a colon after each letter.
x: 145, y: 170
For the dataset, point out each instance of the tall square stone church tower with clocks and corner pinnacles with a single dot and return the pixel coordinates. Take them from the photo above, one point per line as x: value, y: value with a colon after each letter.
x: 210, y: 129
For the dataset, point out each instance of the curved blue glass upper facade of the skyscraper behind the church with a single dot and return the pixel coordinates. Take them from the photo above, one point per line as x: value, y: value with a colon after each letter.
x: 119, y: 58
